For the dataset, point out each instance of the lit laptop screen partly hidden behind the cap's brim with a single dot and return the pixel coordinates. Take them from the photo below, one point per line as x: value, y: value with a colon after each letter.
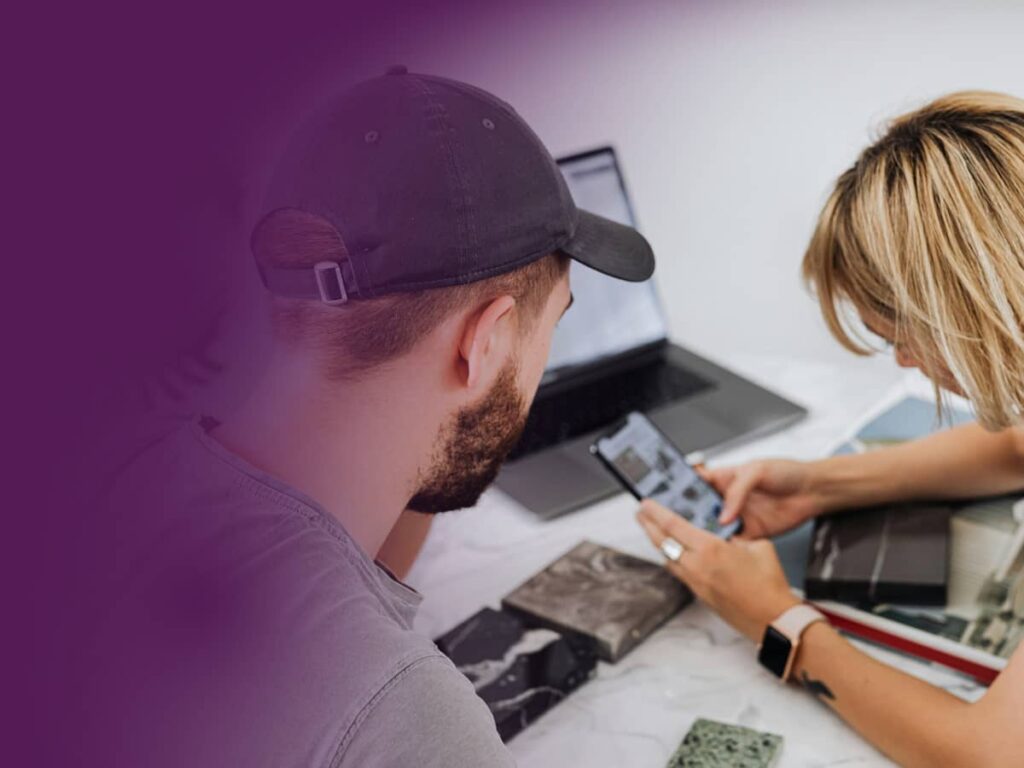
x: 609, y: 316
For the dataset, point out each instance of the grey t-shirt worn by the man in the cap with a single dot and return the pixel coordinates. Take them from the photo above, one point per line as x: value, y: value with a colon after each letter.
x: 251, y: 630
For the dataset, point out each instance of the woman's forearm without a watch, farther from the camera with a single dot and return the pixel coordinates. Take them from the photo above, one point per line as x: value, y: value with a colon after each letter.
x: 958, y: 463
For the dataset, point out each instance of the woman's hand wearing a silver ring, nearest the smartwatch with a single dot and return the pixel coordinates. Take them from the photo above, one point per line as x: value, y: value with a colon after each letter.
x: 742, y: 581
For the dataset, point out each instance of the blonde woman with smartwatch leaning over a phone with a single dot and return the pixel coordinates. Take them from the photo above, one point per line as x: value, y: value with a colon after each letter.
x: 923, y: 239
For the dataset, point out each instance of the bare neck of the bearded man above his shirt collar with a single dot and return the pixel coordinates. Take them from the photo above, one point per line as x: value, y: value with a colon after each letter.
x: 355, y: 448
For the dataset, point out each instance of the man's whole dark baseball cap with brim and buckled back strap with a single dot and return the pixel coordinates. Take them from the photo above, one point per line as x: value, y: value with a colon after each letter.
x: 432, y: 183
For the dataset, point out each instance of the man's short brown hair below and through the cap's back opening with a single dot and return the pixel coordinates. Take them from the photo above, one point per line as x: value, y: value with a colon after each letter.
x: 366, y: 333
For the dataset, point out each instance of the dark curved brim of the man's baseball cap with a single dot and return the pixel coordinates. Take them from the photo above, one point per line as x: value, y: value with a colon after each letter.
x: 611, y: 248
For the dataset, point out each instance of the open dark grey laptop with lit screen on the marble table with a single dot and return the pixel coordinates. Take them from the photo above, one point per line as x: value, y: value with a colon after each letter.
x: 611, y: 355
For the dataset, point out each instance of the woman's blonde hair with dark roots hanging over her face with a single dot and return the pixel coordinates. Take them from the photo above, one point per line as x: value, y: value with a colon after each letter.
x: 927, y: 231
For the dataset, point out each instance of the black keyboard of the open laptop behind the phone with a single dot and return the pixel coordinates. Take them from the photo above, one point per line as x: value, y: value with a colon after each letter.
x: 583, y: 409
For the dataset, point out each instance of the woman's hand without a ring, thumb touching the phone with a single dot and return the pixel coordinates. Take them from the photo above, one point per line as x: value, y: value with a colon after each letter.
x: 772, y: 497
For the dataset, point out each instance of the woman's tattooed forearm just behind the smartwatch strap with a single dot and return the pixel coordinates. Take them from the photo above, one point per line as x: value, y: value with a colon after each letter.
x: 915, y: 723
